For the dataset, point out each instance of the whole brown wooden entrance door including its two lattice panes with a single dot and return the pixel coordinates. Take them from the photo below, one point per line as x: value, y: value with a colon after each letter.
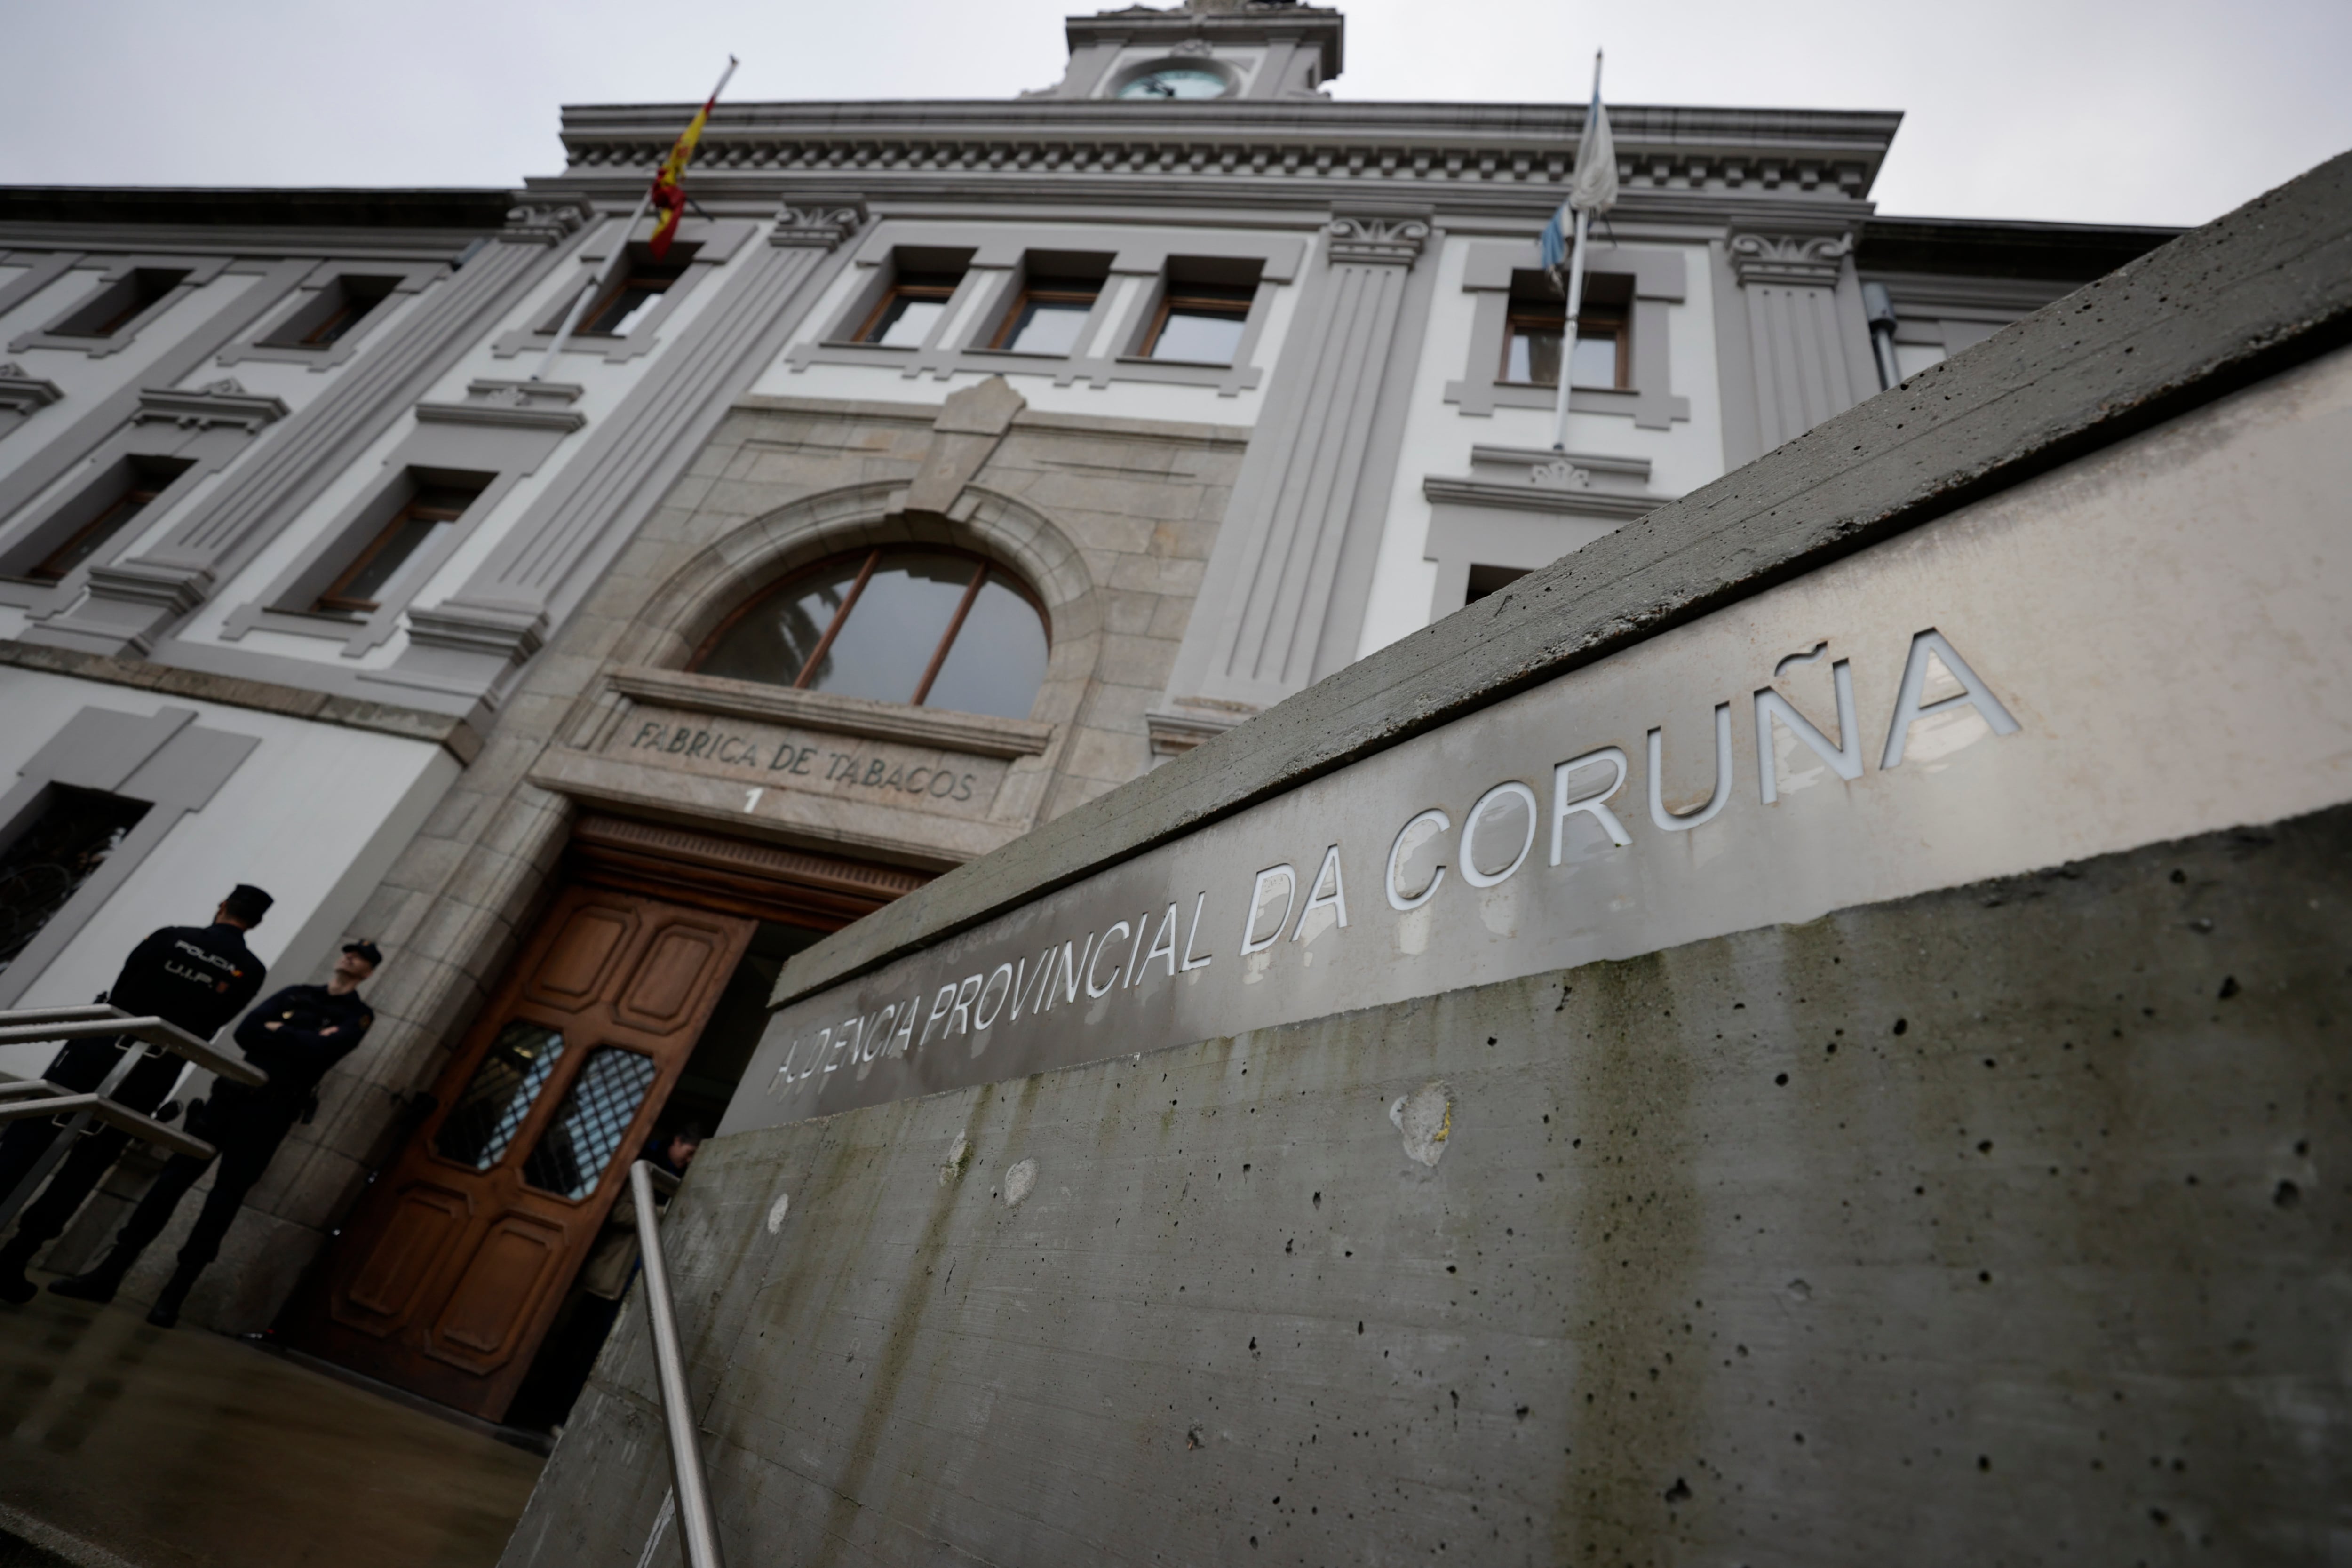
x: 453, y: 1266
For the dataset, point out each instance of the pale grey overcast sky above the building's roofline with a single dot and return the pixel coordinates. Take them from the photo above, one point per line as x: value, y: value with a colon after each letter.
x: 2097, y: 112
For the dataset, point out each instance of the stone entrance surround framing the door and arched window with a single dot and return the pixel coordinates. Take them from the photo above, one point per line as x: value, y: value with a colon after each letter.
x: 1109, y: 521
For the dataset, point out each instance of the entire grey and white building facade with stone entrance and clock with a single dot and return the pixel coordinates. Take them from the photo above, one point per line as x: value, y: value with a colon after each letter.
x: 961, y: 464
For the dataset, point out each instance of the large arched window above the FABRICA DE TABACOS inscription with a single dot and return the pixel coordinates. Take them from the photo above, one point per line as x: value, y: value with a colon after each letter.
x: 937, y: 629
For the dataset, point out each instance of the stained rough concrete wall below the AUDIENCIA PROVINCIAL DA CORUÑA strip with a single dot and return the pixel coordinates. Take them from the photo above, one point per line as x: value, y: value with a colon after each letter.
x: 1993, y: 1226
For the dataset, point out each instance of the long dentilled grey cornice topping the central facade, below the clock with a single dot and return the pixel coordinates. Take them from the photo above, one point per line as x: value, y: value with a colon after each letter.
x: 1290, y: 149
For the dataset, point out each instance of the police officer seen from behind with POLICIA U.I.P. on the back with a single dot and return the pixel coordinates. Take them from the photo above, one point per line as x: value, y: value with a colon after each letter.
x: 194, y: 977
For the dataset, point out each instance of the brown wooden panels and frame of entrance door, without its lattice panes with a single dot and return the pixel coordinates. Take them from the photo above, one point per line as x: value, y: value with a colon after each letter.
x: 425, y: 1280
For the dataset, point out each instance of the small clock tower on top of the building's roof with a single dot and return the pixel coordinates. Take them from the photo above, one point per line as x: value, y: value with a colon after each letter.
x: 1205, y: 51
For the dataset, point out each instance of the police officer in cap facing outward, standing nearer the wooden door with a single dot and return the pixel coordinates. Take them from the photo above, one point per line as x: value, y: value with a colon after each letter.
x: 295, y: 1038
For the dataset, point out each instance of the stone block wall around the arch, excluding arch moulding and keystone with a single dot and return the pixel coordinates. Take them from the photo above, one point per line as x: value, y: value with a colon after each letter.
x: 1135, y: 502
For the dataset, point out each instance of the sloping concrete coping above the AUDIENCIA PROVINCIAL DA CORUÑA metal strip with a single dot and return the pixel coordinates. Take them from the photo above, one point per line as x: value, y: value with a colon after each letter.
x: 2219, y: 309
